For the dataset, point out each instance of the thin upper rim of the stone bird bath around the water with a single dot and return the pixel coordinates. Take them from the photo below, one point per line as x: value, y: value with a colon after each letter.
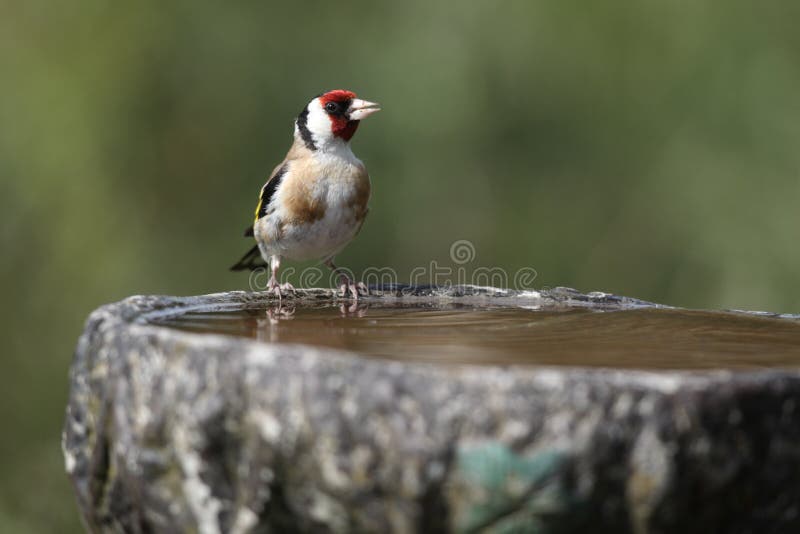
x: 148, y: 310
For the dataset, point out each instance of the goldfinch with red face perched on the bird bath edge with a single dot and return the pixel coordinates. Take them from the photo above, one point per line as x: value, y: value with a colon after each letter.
x: 315, y: 201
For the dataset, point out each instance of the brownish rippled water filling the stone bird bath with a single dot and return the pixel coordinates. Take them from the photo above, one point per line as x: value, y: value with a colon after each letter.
x: 640, y: 338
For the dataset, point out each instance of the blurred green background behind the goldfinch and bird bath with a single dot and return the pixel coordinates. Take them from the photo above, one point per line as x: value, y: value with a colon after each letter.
x: 645, y: 148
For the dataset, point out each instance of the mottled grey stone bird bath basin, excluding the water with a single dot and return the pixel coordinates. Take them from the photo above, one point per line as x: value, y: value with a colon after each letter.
x: 168, y: 431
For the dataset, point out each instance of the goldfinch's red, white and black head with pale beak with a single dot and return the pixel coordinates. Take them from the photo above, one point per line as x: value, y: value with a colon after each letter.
x: 332, y: 118
